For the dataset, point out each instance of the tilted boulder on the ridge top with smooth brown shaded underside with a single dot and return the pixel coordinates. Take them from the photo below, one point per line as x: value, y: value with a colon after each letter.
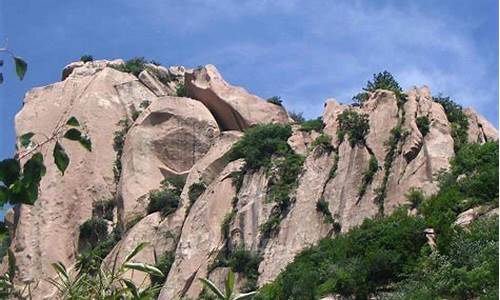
x: 233, y: 107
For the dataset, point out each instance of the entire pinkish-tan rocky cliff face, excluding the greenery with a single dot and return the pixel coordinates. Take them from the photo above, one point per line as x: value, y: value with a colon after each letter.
x: 171, y: 137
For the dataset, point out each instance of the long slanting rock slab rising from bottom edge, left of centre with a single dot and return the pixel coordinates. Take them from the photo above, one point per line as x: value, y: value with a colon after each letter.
x: 201, y: 237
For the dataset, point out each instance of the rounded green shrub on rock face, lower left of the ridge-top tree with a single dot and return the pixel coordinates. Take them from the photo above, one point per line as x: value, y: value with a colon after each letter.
x: 353, y: 124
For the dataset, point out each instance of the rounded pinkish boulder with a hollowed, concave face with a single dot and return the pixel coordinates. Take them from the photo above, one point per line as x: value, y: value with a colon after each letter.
x: 165, y: 141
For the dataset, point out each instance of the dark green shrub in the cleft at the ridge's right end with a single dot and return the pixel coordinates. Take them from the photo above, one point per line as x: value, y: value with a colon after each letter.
x: 457, y: 118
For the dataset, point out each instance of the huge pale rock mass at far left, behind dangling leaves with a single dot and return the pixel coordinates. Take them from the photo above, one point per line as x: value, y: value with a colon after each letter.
x: 48, y: 231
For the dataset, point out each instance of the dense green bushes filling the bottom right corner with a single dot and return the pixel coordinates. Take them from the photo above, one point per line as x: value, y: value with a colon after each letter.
x: 469, y: 270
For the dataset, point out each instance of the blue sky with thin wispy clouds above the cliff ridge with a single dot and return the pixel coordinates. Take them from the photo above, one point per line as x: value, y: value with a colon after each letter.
x: 303, y: 51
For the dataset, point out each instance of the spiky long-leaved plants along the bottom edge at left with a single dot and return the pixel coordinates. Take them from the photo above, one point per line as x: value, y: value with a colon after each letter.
x: 108, y: 283
